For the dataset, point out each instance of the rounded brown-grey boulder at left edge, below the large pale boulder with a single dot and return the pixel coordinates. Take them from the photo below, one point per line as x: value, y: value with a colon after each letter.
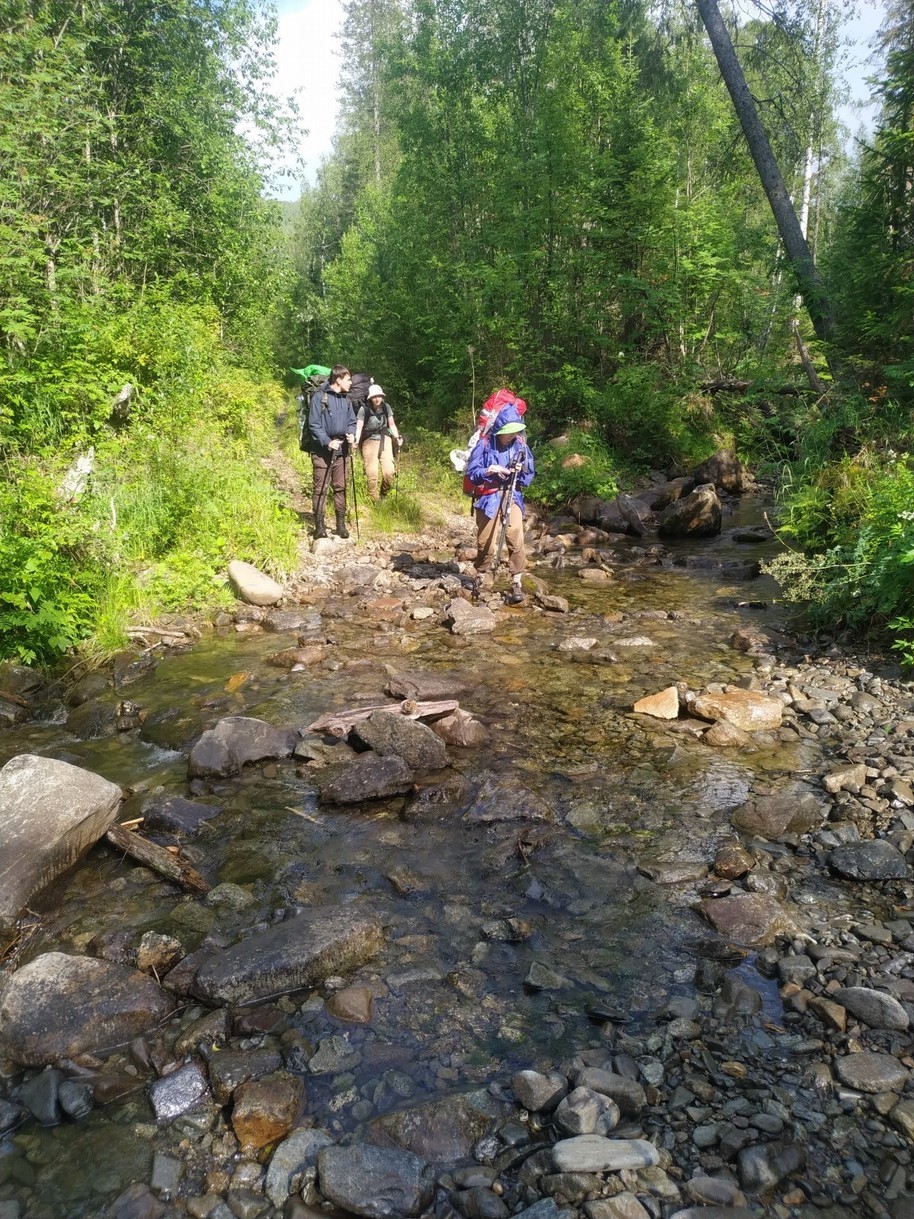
x: 60, y: 1006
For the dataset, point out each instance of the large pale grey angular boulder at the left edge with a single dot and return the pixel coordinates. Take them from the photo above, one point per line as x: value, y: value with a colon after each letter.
x: 51, y: 814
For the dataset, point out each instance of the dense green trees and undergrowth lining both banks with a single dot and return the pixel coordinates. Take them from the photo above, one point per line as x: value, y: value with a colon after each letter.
x: 553, y: 194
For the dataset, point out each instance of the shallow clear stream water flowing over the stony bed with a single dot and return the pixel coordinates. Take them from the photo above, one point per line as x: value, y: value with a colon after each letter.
x: 453, y: 1004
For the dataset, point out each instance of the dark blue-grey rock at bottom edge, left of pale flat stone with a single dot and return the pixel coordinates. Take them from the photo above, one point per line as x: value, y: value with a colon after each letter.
x: 375, y: 1182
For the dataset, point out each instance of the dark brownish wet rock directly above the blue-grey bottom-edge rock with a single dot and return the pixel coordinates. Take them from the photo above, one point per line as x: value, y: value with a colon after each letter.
x: 441, y: 1131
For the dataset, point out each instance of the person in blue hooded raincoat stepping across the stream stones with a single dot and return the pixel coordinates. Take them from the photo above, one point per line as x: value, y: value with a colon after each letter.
x: 491, y: 467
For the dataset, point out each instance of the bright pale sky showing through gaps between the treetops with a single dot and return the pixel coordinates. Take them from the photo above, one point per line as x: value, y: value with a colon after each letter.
x: 308, y: 65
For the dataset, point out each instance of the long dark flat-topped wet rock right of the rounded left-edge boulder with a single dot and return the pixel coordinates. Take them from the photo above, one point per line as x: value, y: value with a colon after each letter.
x: 291, y: 956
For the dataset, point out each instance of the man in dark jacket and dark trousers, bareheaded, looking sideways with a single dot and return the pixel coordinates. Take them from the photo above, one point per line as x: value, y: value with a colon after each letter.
x: 332, y: 424
